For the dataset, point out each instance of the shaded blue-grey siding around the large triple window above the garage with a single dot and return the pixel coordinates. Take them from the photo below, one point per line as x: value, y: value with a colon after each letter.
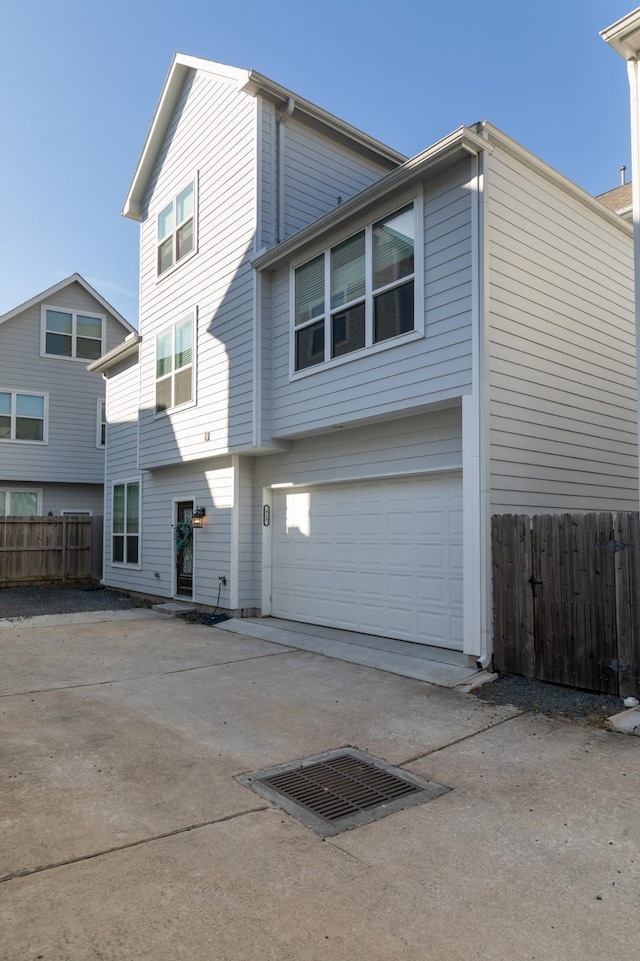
x: 407, y: 377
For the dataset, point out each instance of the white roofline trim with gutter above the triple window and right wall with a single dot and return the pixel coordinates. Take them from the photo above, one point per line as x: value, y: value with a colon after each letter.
x: 469, y: 140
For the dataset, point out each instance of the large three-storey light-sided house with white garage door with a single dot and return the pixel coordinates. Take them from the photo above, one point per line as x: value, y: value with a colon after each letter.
x: 352, y: 360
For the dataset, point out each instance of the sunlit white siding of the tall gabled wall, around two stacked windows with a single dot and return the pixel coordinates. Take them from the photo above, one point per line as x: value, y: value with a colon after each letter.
x: 213, y: 132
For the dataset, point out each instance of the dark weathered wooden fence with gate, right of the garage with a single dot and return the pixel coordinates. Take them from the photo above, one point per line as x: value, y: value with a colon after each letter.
x: 567, y: 599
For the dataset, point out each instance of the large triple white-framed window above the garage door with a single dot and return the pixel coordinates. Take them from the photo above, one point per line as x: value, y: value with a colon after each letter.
x: 359, y: 293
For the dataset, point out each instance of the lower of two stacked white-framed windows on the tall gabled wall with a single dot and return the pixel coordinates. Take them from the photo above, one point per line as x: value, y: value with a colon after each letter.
x: 175, y: 382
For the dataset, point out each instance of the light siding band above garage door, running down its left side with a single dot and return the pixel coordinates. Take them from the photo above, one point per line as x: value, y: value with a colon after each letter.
x: 422, y: 443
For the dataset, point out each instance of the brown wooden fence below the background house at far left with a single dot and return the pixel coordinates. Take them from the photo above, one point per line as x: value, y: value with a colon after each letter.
x: 34, y: 550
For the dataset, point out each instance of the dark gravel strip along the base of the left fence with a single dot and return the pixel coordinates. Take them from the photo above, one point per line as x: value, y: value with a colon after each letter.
x: 34, y: 601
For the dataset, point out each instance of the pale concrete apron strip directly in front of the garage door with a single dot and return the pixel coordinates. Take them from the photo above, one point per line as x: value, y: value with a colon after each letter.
x: 385, y: 654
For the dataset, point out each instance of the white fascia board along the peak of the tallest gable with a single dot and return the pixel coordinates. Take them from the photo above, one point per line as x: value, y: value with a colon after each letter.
x: 180, y: 67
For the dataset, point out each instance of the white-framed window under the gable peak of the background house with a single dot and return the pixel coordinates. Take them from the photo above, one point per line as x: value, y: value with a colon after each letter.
x: 72, y: 334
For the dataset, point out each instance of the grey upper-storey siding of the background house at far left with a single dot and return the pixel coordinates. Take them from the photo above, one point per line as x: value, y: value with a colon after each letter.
x: 71, y: 454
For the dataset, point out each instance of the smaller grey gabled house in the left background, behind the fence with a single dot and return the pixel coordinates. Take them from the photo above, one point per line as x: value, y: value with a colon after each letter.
x: 52, y: 409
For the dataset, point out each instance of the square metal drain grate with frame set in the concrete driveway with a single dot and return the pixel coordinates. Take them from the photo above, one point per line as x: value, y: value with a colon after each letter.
x: 340, y: 790
